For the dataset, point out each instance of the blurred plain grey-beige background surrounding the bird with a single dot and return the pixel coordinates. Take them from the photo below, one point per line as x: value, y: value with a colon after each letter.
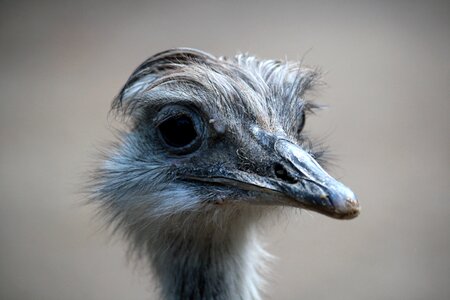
x: 388, y: 73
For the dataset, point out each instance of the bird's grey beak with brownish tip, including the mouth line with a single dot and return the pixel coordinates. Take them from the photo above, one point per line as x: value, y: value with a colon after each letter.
x: 293, y: 178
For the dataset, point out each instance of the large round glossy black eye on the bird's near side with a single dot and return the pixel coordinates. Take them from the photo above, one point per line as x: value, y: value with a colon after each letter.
x: 178, y: 131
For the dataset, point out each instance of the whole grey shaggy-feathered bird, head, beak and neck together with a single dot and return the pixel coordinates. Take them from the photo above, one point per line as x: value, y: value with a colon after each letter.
x: 213, y: 146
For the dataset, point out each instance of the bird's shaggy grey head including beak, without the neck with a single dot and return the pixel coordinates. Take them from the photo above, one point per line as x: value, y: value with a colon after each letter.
x: 210, y: 132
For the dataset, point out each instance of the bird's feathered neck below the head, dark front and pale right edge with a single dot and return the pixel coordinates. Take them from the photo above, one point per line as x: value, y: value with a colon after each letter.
x: 208, y: 261
